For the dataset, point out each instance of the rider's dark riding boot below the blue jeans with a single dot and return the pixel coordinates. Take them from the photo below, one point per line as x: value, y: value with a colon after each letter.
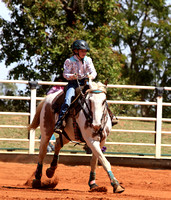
x: 58, y: 125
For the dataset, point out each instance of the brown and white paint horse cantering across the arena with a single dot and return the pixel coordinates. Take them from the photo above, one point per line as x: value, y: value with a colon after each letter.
x: 94, y: 124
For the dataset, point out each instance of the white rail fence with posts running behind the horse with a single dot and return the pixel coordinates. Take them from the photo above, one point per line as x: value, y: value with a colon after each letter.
x: 158, y: 119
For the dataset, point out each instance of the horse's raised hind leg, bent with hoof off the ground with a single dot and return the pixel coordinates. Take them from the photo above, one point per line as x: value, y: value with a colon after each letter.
x: 60, y: 141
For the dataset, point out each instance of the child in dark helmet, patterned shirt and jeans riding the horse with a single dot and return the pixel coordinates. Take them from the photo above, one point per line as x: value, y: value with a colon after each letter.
x: 78, y: 66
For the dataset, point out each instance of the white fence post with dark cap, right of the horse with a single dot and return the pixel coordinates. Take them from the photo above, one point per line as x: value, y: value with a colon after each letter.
x: 159, y: 91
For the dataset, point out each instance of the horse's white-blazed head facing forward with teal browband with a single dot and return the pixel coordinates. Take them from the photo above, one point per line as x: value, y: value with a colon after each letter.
x: 97, y: 101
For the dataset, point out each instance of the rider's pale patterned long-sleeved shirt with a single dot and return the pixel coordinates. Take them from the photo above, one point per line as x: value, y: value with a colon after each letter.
x: 74, y: 65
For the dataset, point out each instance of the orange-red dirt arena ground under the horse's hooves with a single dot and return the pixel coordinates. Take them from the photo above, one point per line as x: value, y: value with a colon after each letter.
x: 139, y: 183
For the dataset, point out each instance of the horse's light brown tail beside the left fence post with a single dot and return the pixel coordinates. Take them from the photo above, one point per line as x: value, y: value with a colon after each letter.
x: 36, y: 120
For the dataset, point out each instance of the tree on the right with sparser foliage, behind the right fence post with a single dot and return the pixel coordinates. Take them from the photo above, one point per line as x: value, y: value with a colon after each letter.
x: 147, y: 41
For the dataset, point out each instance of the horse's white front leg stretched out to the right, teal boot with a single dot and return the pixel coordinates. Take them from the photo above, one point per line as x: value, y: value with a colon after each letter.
x: 95, y: 147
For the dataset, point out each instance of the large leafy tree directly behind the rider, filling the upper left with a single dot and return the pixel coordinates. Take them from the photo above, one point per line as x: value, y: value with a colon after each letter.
x: 39, y: 37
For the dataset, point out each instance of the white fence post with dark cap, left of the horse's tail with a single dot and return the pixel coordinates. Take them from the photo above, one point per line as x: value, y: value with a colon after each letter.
x: 33, y: 85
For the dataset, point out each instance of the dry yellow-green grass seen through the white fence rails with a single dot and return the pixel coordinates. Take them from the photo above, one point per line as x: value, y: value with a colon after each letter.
x: 113, y: 137
